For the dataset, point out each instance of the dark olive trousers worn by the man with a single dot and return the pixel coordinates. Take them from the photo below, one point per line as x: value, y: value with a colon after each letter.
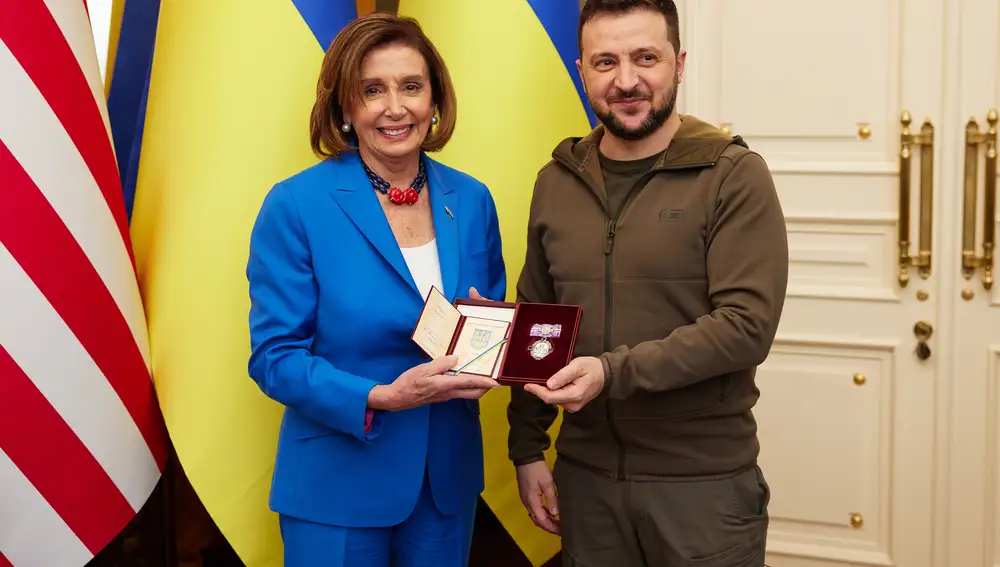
x: 716, y: 521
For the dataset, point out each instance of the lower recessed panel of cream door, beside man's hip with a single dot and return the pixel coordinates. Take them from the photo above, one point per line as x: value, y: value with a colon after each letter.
x: 869, y: 442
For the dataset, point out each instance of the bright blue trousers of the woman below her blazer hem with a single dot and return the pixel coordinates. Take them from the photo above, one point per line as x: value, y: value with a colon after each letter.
x: 425, y: 539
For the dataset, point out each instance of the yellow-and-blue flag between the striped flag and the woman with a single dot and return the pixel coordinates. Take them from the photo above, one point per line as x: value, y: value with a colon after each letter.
x: 229, y: 95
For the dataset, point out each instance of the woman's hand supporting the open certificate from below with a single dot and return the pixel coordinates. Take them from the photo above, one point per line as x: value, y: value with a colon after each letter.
x: 426, y: 384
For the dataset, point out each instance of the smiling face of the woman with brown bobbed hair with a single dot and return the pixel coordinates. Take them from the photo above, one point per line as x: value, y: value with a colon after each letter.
x: 394, y: 114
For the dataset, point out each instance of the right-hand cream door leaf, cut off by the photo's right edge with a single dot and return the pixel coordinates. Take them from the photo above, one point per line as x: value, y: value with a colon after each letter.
x: 970, y: 504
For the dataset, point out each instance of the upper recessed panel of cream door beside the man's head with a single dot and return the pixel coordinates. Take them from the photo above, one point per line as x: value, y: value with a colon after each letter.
x: 830, y: 143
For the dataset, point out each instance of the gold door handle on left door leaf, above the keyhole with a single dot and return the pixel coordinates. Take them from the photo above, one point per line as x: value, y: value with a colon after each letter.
x: 925, y: 141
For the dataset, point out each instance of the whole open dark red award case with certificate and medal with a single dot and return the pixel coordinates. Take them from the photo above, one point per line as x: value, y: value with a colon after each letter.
x: 514, y: 344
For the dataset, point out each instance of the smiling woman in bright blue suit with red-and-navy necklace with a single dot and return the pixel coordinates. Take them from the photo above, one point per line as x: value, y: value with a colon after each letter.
x: 380, y: 454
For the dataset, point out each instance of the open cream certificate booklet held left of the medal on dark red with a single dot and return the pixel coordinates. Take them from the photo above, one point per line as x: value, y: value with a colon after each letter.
x: 474, y: 331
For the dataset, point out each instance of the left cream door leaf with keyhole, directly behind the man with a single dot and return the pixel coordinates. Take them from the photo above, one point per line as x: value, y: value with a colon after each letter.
x: 850, y: 391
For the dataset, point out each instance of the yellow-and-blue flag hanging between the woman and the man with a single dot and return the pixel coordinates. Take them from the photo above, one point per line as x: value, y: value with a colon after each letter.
x: 513, y: 63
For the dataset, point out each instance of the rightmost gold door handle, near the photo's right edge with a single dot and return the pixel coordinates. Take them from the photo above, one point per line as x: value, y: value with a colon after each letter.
x: 974, y: 139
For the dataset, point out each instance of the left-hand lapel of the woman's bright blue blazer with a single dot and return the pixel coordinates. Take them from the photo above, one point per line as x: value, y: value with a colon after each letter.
x: 353, y: 192
